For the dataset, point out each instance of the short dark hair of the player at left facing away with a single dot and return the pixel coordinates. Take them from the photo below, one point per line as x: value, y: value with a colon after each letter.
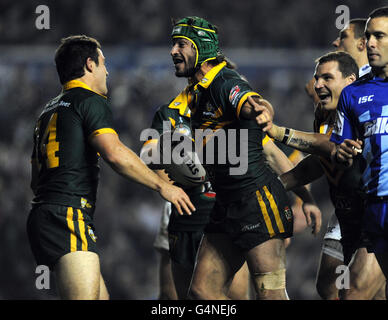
x: 71, y: 56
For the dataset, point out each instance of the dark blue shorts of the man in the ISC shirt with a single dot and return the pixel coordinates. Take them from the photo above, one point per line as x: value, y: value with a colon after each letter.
x: 376, y: 225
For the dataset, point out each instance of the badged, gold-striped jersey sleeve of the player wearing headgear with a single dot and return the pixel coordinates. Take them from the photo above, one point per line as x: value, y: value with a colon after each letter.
x: 235, y: 92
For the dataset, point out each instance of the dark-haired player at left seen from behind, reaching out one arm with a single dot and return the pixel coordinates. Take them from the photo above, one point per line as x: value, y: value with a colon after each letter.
x: 72, y: 132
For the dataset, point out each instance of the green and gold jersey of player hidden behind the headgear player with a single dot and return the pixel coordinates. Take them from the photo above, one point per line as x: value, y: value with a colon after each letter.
x: 175, y: 113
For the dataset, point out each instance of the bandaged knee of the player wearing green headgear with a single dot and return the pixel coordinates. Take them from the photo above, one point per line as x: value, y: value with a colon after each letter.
x: 271, y: 285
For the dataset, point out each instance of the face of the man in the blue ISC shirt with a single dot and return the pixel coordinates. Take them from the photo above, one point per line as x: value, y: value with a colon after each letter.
x: 377, y: 43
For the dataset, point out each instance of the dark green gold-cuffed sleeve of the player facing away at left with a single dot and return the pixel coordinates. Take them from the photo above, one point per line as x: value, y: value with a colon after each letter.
x: 96, y: 116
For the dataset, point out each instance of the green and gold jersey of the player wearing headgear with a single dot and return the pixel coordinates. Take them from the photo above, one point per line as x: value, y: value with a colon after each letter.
x: 216, y: 105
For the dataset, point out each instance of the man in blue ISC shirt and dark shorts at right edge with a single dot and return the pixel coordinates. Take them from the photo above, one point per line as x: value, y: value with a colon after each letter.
x: 360, y: 128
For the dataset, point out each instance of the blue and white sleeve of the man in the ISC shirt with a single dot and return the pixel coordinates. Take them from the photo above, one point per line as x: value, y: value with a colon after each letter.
x: 343, y: 128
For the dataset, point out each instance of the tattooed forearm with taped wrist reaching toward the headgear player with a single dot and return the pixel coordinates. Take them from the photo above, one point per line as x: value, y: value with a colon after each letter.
x: 310, y: 142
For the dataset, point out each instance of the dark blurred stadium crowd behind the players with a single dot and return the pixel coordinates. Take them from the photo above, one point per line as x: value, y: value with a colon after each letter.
x: 274, y: 44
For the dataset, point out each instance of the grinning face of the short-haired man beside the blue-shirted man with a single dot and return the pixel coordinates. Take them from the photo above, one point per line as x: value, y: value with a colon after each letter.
x: 329, y: 83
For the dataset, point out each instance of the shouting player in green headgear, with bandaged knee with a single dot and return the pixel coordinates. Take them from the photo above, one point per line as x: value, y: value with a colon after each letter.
x: 251, y: 216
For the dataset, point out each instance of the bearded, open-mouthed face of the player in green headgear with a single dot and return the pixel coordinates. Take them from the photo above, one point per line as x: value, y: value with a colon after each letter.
x: 183, y: 55
